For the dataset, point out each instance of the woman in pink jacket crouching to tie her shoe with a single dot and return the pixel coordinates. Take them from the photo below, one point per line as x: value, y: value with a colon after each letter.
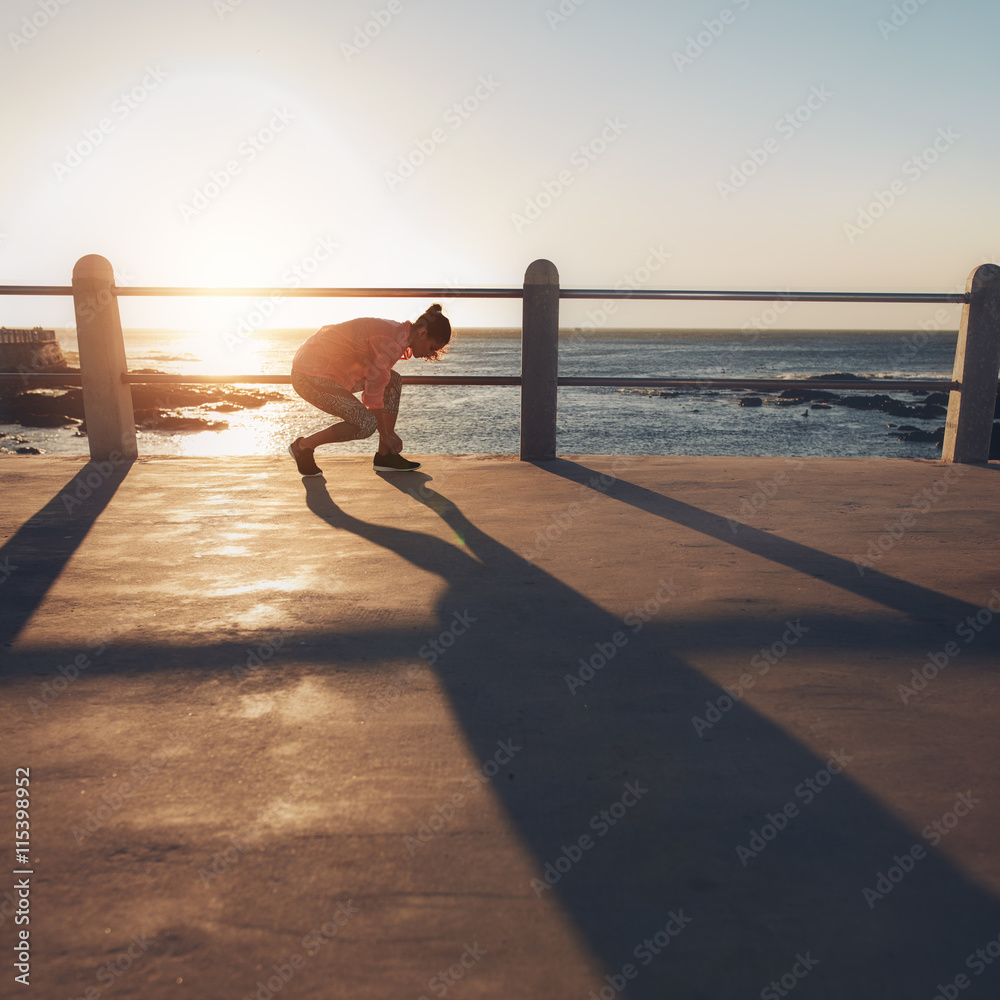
x: 357, y: 356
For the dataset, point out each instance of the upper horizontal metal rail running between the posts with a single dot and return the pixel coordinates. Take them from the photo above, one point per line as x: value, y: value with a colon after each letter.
x: 956, y: 298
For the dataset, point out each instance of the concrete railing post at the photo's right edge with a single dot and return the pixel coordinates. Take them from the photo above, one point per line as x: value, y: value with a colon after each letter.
x: 969, y: 426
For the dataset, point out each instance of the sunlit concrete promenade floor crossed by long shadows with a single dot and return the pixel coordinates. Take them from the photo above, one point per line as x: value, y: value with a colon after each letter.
x: 503, y: 730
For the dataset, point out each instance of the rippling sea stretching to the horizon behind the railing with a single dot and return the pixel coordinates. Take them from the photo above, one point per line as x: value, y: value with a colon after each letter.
x: 485, y: 419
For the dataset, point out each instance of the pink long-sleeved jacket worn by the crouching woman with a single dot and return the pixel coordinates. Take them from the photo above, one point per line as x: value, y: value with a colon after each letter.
x: 360, y: 349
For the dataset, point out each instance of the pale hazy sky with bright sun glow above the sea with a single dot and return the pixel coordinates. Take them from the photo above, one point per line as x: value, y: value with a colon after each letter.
x: 764, y: 144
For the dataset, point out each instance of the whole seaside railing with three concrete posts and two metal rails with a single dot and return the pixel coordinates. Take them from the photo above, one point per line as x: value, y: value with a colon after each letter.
x: 105, y: 378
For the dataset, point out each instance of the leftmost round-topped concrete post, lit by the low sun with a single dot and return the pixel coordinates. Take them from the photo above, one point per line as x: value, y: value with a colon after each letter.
x: 107, y: 400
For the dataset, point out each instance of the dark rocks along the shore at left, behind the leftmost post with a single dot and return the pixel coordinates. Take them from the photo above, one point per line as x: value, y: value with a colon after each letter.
x: 163, y: 407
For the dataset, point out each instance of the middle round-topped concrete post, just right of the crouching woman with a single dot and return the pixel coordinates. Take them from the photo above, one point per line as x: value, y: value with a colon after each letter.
x: 539, y: 361
